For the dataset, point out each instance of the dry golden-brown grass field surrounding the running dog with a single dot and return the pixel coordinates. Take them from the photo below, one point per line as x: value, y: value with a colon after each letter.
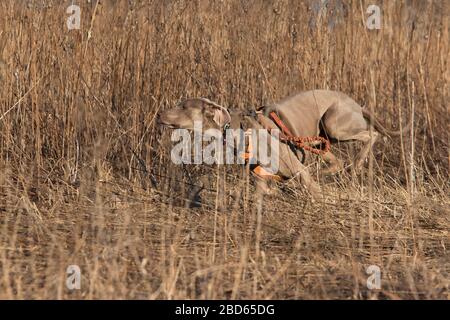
x: 86, y: 176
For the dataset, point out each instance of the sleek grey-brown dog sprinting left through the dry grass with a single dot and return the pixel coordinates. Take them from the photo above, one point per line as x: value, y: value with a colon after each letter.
x: 305, y: 114
